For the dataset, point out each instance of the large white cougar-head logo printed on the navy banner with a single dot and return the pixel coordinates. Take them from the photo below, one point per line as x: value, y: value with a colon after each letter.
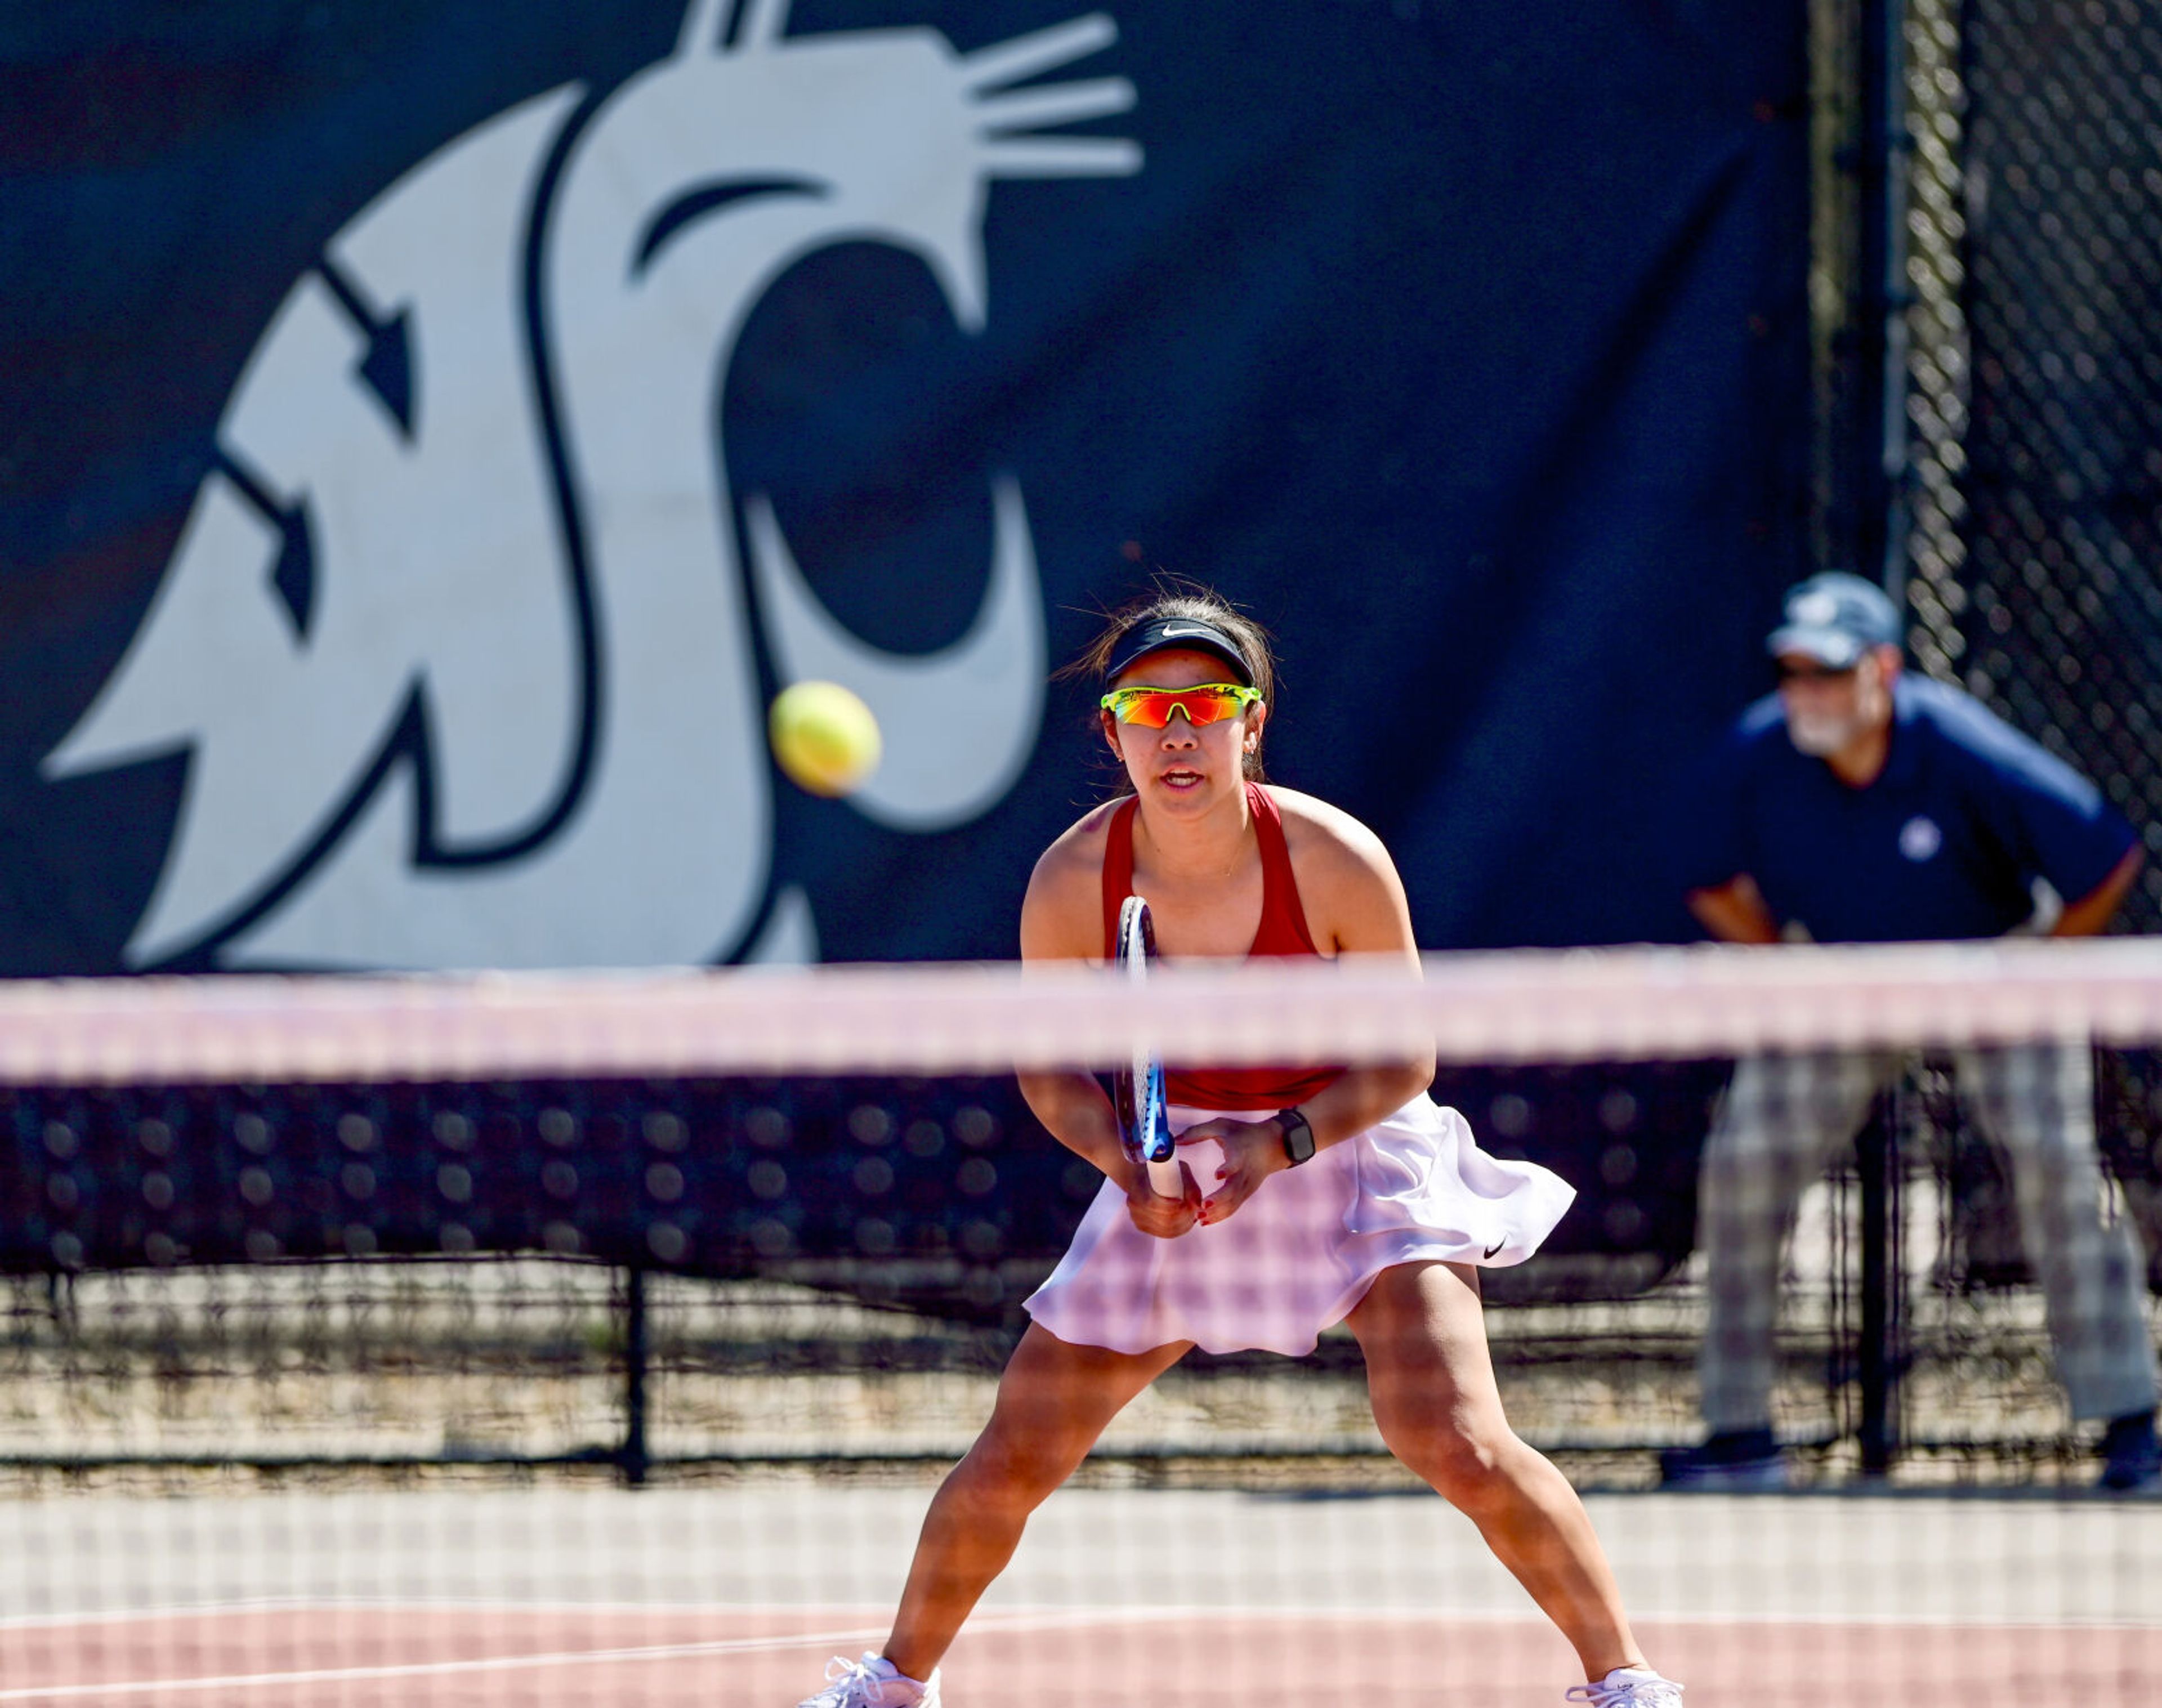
x: 457, y: 637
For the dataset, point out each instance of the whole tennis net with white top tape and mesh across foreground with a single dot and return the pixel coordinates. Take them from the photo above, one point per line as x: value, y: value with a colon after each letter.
x: 602, y: 1337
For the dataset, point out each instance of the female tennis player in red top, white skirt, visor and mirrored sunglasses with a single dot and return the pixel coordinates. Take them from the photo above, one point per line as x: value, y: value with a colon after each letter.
x: 1313, y: 1195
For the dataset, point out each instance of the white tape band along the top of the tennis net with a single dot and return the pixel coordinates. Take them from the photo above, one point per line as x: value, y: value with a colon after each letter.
x: 1521, y: 1006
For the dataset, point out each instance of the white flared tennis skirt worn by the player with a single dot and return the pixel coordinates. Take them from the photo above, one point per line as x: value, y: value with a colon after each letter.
x: 1303, y: 1251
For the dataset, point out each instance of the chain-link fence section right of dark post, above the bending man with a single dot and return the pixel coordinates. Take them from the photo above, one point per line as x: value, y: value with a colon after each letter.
x: 2036, y: 377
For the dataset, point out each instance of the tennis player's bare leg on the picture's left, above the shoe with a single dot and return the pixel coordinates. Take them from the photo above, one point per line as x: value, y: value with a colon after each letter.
x: 1054, y: 1402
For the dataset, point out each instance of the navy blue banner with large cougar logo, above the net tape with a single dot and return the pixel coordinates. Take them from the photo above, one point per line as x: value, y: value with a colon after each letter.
x: 431, y: 436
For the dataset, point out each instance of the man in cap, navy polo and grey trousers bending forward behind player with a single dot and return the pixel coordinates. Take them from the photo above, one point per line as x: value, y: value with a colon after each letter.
x: 1865, y: 805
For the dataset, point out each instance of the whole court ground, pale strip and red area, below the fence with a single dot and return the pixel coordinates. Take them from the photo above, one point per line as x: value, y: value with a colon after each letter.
x: 1119, y: 1597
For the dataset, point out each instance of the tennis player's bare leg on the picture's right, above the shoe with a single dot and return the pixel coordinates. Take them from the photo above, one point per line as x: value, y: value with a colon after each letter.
x: 1441, y: 1415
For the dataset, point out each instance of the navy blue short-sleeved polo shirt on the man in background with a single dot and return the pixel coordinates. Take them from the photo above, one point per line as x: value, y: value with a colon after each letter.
x: 1945, y: 844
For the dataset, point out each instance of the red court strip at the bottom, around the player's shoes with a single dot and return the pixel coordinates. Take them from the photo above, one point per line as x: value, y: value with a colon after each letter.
x: 490, y: 1657
